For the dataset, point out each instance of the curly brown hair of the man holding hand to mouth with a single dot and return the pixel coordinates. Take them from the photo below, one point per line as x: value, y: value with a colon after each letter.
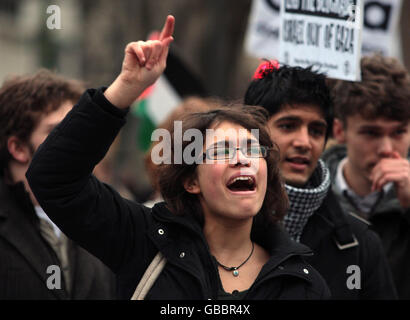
x: 384, y: 91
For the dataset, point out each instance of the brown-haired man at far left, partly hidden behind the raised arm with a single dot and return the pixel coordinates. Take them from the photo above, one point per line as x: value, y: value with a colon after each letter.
x: 37, y: 260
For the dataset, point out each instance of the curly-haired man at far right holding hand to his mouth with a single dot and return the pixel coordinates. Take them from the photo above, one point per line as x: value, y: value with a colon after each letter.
x: 370, y: 169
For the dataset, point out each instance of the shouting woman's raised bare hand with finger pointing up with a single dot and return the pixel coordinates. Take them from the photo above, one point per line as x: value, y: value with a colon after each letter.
x: 144, y: 62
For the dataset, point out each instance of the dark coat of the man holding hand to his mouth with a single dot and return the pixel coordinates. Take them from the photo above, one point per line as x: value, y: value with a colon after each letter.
x: 387, y: 218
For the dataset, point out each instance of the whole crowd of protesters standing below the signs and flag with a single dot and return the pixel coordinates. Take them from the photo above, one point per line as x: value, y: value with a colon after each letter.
x: 260, y: 210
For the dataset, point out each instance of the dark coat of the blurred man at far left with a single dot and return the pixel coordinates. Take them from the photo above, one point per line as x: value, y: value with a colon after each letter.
x: 25, y: 257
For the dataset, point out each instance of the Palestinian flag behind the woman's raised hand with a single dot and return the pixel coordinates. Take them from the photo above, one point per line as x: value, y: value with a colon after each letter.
x: 157, y: 101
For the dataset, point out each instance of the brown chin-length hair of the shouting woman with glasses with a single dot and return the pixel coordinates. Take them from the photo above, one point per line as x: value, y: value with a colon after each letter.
x: 171, y: 177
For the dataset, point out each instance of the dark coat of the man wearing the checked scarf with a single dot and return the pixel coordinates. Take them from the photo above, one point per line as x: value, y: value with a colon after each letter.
x: 341, y: 240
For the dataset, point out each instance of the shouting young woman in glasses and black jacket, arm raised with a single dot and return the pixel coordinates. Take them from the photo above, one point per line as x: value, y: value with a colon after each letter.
x: 215, y: 231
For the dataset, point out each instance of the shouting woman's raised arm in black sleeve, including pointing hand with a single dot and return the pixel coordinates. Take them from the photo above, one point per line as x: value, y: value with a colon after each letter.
x: 60, y: 174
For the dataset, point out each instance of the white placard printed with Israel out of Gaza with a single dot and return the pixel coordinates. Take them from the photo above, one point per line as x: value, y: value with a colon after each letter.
x: 326, y: 34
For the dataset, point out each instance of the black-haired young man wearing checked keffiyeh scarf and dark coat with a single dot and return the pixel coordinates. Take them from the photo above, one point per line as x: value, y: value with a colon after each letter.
x: 300, y: 109
